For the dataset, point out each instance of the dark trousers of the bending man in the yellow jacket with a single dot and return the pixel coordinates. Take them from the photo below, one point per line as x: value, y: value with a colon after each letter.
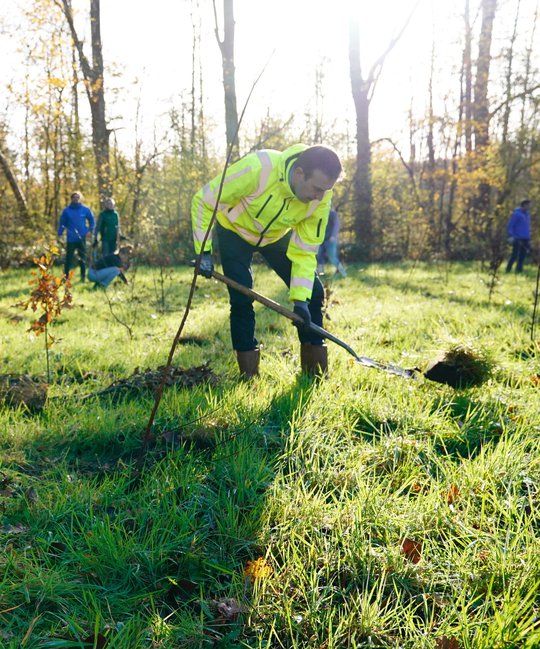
x: 236, y: 256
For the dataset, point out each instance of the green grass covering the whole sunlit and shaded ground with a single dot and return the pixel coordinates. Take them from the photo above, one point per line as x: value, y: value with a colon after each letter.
x: 324, y: 480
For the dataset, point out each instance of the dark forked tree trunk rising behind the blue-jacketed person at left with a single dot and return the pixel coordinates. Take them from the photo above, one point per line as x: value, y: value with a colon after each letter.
x: 95, y: 90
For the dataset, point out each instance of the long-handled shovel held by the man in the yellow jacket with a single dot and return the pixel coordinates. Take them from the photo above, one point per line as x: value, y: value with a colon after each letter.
x: 278, y: 308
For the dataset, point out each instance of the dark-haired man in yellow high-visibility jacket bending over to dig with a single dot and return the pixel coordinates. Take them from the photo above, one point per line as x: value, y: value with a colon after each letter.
x: 276, y: 203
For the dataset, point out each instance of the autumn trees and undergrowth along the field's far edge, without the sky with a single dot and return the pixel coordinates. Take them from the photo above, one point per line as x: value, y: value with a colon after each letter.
x: 446, y: 197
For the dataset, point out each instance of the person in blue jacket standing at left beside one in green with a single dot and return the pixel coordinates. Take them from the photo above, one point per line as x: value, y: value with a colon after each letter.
x: 78, y: 221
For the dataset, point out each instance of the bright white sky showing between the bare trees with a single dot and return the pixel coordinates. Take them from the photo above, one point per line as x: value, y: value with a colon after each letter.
x: 150, y: 45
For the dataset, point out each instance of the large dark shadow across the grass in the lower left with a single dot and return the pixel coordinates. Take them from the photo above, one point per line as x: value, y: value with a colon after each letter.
x: 189, y: 519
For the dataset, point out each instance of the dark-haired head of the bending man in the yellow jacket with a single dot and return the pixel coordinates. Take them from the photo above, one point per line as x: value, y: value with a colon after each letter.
x: 315, y: 172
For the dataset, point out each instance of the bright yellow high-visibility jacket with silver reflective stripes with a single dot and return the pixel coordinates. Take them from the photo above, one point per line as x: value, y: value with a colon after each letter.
x: 258, y: 204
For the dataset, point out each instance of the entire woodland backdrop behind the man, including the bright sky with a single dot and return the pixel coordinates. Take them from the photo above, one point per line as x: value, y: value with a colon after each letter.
x: 433, y: 109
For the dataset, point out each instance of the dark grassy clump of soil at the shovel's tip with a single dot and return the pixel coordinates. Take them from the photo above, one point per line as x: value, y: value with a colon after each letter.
x: 461, y: 366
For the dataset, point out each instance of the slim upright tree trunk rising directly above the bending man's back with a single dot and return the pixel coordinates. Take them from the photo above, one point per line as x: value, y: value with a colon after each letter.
x: 226, y: 45
